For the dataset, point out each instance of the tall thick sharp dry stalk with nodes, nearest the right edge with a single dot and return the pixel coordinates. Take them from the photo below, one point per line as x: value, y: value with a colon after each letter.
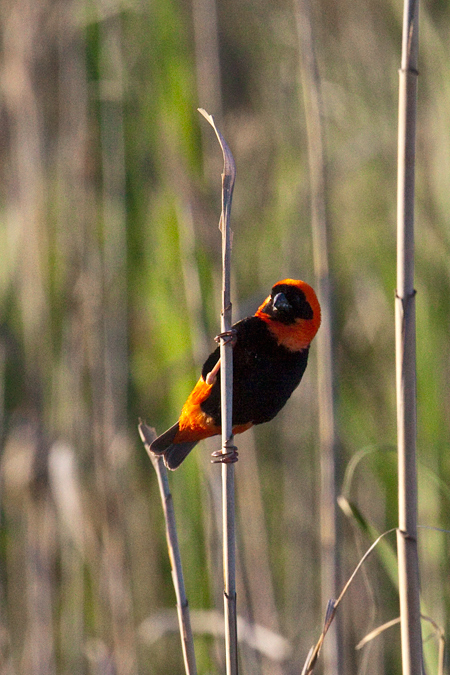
x: 411, y: 637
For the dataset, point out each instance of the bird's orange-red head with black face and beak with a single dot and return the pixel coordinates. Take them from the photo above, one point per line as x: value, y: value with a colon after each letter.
x: 292, y: 313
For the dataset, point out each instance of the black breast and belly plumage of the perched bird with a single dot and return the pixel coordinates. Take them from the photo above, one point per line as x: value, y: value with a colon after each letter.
x: 264, y: 374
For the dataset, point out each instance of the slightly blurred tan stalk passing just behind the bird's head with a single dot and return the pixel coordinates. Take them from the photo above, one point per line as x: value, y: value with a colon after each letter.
x: 312, y: 99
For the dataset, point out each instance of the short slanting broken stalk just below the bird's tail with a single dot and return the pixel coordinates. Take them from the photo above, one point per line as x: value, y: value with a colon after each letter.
x: 147, y: 435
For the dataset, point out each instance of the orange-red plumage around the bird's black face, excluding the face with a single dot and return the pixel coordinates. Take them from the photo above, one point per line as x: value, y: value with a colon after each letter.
x: 299, y: 335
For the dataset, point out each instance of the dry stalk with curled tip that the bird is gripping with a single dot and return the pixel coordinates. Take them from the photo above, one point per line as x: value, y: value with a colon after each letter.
x: 226, y: 381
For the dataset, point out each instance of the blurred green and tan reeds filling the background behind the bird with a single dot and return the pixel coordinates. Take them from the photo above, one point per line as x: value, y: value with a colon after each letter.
x: 109, y: 302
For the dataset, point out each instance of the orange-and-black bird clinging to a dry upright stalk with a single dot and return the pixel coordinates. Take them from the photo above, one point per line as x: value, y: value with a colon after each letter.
x: 270, y: 354
